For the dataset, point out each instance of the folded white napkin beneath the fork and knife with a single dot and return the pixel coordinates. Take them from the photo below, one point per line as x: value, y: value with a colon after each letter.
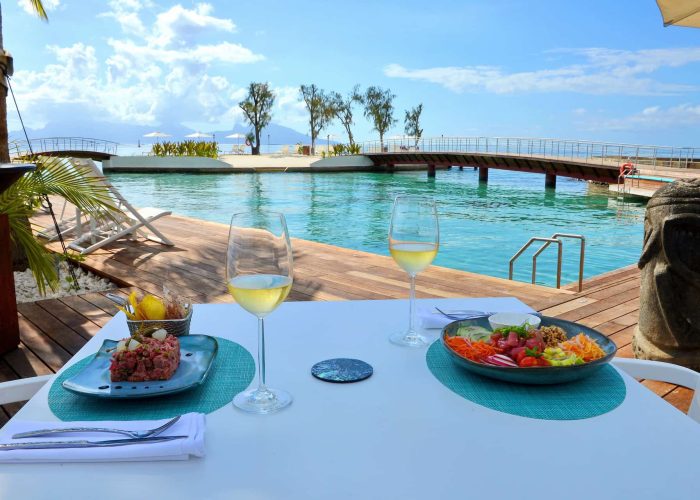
x: 191, y: 425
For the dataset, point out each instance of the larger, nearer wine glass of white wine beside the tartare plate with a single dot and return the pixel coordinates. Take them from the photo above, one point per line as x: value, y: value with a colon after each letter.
x: 259, y: 276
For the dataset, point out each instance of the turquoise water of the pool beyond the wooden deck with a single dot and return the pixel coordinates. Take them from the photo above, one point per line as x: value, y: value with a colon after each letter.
x: 481, y: 226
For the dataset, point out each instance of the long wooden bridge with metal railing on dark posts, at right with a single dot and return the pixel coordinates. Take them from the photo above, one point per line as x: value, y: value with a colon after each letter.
x: 594, y: 161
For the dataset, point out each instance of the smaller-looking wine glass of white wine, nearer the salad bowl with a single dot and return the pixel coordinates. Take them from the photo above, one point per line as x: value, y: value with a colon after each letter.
x: 414, y: 238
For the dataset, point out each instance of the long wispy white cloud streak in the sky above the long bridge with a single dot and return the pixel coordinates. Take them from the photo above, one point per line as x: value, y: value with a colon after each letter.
x: 602, y: 71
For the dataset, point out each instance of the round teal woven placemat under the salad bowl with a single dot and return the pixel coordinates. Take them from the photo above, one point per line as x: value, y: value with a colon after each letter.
x: 592, y: 396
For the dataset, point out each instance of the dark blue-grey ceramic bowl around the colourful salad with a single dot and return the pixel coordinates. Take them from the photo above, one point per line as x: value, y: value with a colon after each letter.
x: 540, y: 375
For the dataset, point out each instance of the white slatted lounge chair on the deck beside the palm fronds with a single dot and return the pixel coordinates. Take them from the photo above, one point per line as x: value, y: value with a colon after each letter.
x: 109, y: 226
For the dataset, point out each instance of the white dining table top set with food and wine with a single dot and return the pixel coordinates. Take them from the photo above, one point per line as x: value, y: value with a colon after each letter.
x: 398, y: 435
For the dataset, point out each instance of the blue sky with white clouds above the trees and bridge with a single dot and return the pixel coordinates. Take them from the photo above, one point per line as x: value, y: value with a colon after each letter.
x: 596, y: 70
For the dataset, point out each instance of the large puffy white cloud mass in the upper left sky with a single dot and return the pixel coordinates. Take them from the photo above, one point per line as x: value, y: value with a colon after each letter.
x: 160, y: 72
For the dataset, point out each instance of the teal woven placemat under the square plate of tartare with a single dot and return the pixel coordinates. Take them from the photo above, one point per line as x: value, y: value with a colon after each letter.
x: 231, y: 373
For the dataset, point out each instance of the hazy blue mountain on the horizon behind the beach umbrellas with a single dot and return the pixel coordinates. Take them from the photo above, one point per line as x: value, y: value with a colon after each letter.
x: 127, y: 134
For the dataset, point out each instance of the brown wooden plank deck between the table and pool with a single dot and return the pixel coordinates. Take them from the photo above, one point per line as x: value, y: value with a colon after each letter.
x: 53, y: 330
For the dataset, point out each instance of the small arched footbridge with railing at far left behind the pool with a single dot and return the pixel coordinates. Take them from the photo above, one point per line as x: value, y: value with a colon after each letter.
x: 76, y: 147
